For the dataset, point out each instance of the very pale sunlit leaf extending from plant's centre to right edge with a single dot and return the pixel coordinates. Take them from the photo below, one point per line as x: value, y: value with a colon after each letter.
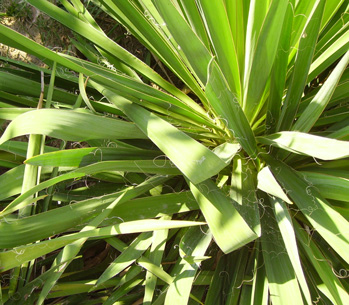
x: 307, y: 144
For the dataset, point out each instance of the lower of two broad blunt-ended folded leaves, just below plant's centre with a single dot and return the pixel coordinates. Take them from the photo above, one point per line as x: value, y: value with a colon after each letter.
x: 222, y: 217
